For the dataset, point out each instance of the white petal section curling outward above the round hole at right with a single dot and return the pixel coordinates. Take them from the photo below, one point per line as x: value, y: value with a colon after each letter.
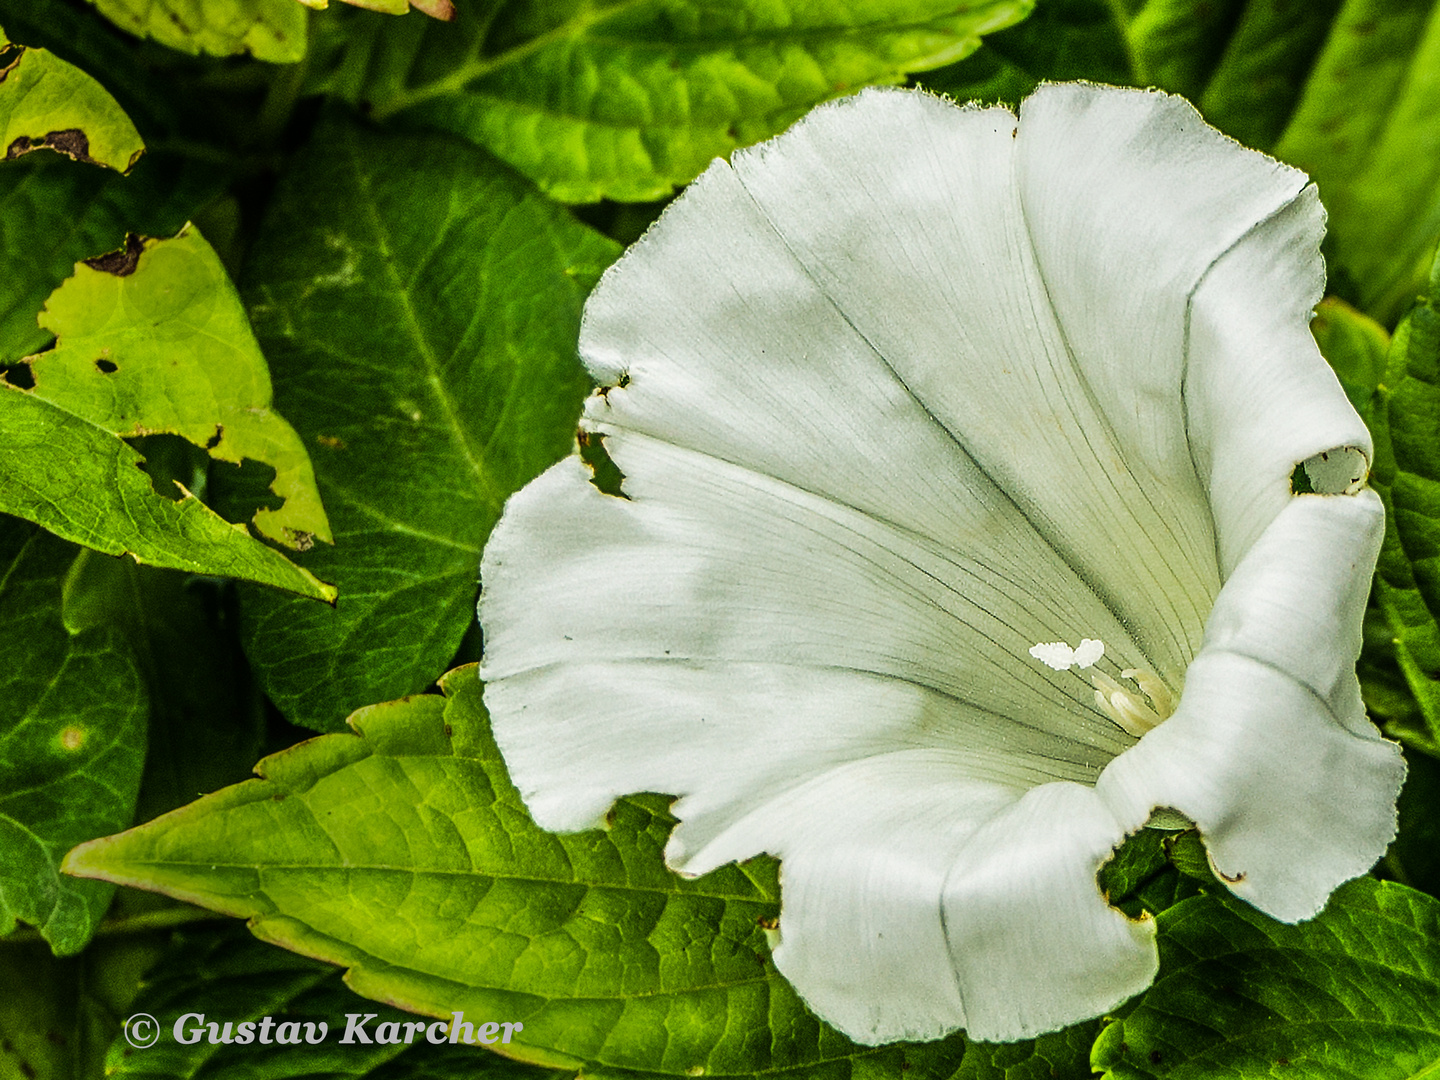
x: 1261, y: 398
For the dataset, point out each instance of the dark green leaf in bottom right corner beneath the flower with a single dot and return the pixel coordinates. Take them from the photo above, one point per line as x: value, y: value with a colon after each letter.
x: 1353, y: 993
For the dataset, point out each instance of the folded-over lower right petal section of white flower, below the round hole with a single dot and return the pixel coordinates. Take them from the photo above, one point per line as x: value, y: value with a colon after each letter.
x: 1269, y: 752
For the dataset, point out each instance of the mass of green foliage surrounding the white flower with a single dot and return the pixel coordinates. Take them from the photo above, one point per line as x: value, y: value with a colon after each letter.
x: 395, y: 225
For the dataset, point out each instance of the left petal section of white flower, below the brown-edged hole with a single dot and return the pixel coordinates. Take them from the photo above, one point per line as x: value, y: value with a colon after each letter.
x: 711, y: 562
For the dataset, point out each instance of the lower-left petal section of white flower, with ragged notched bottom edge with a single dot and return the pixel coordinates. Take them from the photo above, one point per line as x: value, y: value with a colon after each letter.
x: 731, y: 735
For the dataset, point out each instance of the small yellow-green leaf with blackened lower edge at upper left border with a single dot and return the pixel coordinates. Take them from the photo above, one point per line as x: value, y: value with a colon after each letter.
x: 47, y: 103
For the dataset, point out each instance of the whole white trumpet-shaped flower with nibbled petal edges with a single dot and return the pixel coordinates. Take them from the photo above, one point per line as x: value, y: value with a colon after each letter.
x: 955, y: 450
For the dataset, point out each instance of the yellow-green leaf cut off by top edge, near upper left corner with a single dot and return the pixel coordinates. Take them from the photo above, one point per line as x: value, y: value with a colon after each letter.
x: 270, y: 30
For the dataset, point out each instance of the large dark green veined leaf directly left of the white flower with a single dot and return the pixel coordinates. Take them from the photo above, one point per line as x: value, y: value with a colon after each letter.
x: 426, y: 351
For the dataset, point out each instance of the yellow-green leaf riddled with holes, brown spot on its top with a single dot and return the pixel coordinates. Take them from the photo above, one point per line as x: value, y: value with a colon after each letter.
x: 153, y: 339
